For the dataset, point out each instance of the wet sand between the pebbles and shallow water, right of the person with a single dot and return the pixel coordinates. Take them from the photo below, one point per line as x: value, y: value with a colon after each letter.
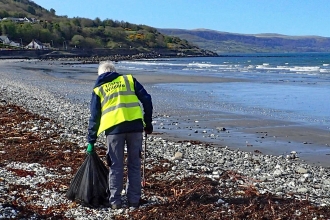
x: 269, y: 137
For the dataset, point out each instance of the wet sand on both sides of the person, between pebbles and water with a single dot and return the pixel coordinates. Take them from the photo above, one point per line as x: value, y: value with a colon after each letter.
x: 251, y: 134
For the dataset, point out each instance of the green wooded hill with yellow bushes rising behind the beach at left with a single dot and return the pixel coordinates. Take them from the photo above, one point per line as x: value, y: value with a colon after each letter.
x: 62, y: 32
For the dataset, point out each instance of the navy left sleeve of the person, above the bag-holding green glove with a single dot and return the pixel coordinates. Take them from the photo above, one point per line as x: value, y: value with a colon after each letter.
x: 94, y: 120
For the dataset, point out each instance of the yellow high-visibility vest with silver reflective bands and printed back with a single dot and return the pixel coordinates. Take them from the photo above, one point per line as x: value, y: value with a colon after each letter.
x: 118, y: 102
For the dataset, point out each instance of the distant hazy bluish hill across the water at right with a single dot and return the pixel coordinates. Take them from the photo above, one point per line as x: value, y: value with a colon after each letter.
x: 224, y: 42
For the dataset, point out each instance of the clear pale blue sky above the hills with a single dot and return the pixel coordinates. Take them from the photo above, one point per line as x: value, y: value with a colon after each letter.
x: 288, y: 17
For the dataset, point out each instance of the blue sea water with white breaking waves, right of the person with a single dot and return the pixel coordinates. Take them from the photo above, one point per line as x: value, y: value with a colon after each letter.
x: 293, y: 87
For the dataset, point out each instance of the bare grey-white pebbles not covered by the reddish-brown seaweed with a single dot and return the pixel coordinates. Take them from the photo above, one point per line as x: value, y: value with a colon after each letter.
x: 282, y: 175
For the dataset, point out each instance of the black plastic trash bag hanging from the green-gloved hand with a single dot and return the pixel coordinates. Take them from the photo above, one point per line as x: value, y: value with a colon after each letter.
x: 90, y: 185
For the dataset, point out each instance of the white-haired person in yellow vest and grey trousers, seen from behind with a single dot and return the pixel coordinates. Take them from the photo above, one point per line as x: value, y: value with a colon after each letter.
x: 116, y: 110
